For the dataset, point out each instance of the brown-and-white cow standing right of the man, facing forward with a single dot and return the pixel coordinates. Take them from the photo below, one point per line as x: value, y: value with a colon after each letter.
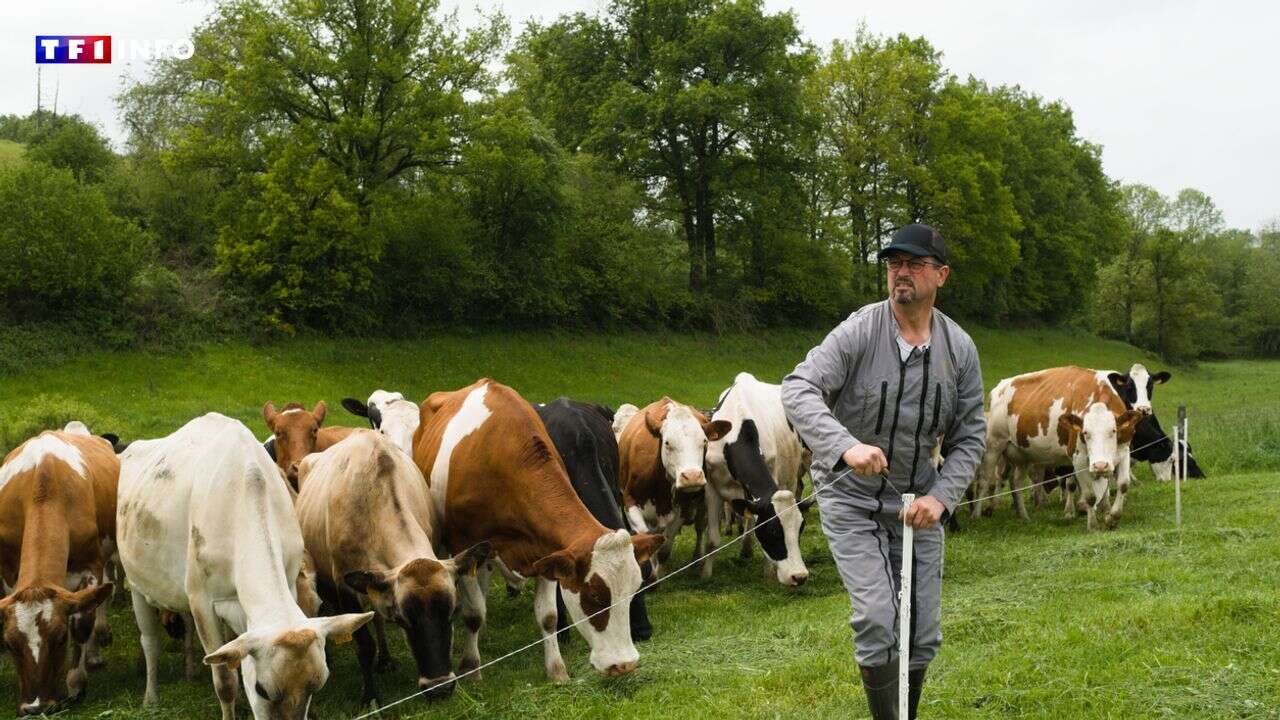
x: 1055, y: 417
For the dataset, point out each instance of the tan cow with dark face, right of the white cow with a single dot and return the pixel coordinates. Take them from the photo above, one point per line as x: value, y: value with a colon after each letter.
x: 371, y: 528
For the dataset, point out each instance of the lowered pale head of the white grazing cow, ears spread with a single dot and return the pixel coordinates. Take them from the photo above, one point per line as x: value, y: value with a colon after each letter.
x: 286, y: 667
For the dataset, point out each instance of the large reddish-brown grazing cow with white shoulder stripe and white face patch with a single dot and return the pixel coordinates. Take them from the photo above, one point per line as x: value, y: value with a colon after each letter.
x: 495, y: 475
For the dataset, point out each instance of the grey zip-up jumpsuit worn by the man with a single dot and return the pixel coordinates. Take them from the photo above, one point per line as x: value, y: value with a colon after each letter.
x: 856, y: 388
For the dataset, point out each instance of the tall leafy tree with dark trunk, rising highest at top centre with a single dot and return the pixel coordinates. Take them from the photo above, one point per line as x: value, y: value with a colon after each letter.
x: 679, y: 94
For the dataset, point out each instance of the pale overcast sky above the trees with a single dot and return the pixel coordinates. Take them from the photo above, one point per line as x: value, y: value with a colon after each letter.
x: 1178, y: 93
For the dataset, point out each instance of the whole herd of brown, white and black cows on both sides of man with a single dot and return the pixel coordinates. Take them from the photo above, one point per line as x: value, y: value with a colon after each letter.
x: 266, y: 552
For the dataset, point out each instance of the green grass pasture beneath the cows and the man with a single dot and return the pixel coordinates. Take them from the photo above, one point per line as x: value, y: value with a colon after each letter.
x: 1041, y: 619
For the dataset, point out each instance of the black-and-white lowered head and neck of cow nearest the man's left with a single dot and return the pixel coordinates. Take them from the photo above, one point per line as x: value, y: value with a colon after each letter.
x: 779, y: 522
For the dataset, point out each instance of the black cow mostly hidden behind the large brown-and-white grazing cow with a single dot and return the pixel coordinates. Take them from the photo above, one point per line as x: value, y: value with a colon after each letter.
x: 584, y: 438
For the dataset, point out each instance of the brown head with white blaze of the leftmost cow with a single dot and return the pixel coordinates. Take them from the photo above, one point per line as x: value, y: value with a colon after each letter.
x: 38, y: 623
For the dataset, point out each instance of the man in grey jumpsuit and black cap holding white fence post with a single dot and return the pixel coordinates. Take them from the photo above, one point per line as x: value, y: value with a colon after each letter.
x: 871, y: 403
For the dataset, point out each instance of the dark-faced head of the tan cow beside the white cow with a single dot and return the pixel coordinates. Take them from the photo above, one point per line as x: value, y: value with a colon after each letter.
x: 420, y: 598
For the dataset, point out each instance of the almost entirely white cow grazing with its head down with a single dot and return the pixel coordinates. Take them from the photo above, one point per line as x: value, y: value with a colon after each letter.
x: 207, y: 530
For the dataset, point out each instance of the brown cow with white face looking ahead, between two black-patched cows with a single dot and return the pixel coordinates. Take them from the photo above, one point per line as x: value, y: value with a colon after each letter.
x: 662, y: 450
